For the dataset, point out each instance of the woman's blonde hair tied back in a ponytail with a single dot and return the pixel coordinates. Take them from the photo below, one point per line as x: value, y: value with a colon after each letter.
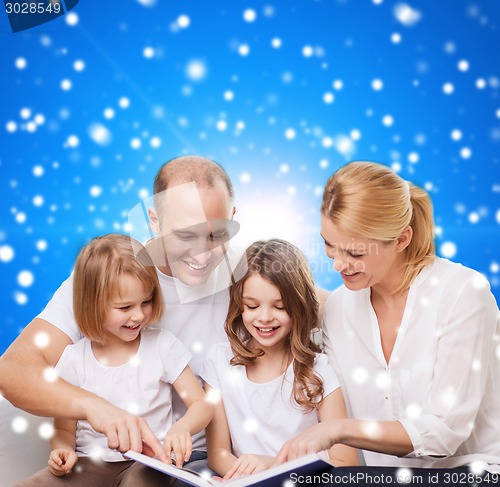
x: 369, y: 200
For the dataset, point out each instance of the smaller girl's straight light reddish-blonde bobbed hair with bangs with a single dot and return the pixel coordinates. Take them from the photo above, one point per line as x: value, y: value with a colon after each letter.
x: 98, y: 271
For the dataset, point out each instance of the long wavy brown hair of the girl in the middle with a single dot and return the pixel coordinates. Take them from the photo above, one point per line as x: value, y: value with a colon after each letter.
x: 284, y: 266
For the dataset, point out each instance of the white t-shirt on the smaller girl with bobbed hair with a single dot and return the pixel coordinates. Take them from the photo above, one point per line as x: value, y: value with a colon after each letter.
x: 142, y: 386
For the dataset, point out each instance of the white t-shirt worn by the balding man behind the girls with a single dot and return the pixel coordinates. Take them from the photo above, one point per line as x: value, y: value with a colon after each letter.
x: 198, y: 324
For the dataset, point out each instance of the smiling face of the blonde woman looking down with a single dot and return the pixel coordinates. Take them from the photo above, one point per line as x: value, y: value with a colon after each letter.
x: 362, y: 263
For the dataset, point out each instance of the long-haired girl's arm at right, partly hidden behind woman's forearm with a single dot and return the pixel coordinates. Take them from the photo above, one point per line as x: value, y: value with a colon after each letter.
x: 333, y: 407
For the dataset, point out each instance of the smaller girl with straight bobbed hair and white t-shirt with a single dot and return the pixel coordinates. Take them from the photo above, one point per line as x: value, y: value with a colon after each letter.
x: 116, y: 296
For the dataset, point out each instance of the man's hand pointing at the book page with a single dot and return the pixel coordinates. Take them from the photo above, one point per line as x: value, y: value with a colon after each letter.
x: 123, y: 430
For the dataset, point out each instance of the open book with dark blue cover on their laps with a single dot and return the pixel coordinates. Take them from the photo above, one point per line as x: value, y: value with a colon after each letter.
x: 307, y: 465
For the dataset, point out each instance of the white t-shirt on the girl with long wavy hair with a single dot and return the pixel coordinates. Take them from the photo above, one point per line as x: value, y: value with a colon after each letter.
x: 261, y: 417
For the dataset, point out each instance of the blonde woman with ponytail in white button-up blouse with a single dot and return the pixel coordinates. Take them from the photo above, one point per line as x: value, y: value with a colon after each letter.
x: 413, y: 338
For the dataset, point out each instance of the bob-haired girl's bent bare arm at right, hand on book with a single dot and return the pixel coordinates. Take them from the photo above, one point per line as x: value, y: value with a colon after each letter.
x: 199, y: 413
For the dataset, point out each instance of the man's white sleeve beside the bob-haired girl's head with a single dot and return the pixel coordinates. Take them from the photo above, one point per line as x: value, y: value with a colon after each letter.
x: 59, y: 311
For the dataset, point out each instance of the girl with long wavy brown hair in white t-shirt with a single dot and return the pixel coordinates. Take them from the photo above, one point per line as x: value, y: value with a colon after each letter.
x: 271, y: 379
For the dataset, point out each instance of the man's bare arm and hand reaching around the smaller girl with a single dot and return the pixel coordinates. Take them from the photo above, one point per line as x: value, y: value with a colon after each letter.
x: 28, y: 381
